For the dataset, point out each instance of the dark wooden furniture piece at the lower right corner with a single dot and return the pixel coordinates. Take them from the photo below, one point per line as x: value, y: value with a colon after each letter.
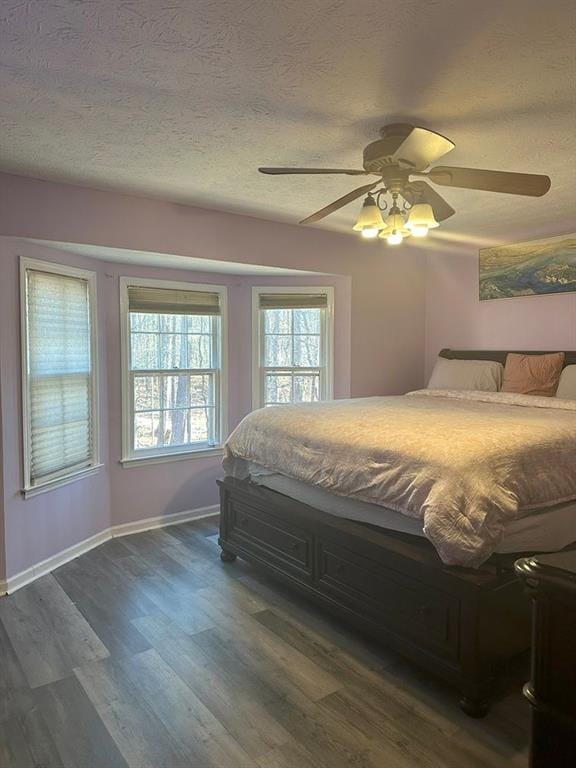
x: 550, y: 580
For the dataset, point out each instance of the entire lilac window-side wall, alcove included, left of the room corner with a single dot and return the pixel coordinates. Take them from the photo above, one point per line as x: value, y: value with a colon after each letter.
x: 379, y: 339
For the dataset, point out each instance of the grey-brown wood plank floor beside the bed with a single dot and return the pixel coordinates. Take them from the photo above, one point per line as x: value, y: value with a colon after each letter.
x: 148, y: 651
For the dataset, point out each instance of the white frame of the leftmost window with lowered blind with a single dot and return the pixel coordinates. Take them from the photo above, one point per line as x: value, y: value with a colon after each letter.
x: 37, y: 265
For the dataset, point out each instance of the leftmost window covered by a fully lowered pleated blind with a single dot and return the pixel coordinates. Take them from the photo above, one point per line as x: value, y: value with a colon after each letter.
x: 59, y: 373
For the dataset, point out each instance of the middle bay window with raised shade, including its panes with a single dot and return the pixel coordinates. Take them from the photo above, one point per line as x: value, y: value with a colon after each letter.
x: 172, y: 368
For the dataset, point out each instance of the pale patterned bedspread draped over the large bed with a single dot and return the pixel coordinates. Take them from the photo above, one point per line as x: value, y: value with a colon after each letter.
x: 464, y: 462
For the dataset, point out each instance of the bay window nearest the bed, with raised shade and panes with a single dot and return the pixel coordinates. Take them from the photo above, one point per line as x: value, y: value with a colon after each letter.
x: 292, y: 345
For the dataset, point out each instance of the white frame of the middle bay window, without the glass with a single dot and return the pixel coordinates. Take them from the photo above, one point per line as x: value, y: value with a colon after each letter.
x: 131, y: 457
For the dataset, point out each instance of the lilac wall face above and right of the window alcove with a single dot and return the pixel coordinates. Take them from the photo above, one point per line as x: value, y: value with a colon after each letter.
x: 387, y: 285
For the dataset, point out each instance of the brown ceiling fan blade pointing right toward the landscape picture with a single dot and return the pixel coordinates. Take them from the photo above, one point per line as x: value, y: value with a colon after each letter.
x: 529, y: 184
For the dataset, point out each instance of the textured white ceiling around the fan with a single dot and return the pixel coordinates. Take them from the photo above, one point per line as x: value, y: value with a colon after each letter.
x: 183, y: 99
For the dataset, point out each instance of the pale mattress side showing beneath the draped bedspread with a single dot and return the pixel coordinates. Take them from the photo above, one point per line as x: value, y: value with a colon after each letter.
x: 545, y: 530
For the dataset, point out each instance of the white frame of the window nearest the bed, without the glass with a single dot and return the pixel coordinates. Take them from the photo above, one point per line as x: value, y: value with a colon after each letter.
x: 326, y: 333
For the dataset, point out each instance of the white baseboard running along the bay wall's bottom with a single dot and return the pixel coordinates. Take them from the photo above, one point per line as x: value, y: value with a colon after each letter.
x: 10, y: 585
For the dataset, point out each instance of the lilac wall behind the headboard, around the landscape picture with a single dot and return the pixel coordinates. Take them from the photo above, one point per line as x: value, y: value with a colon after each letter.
x: 455, y: 317
